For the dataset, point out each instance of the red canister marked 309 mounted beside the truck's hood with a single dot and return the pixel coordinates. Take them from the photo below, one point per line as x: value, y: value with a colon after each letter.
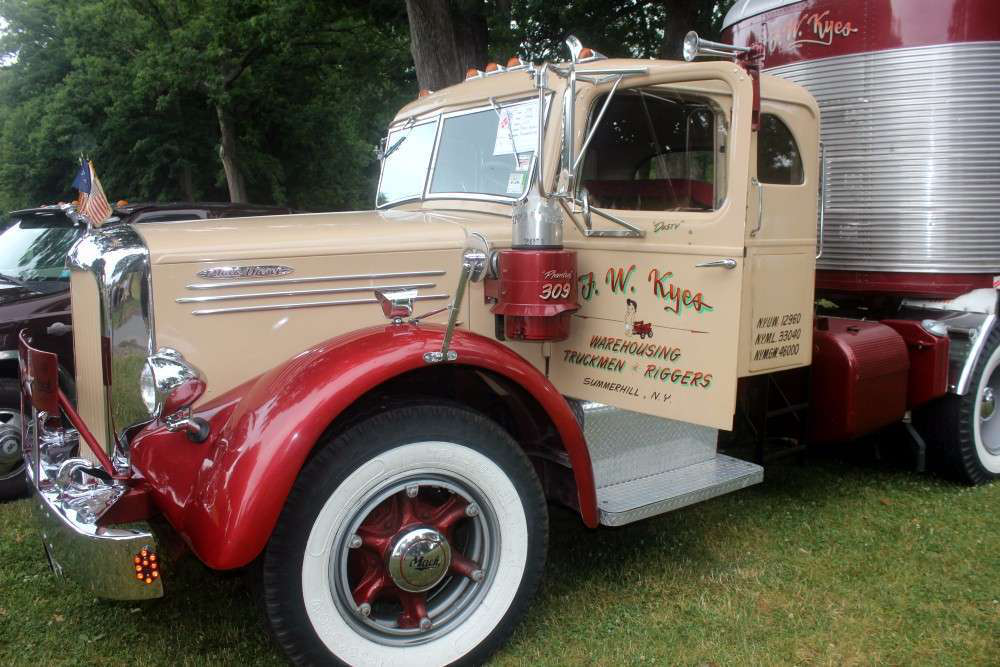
x: 535, y: 292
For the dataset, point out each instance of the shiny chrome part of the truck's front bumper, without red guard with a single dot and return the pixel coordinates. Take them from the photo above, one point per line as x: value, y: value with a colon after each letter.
x: 68, y: 503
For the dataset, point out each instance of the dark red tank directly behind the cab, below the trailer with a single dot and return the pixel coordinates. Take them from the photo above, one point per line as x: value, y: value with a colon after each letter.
x: 859, y: 378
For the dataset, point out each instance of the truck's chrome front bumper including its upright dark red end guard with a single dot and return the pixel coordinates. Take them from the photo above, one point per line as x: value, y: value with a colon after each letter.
x: 70, y: 495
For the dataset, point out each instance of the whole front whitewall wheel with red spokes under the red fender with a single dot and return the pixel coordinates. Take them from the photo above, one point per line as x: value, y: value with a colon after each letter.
x: 417, y: 536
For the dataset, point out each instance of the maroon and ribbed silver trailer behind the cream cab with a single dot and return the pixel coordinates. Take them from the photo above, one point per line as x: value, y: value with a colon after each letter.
x: 911, y: 127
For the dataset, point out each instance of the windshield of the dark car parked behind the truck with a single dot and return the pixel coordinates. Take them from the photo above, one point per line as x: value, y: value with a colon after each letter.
x: 33, y: 251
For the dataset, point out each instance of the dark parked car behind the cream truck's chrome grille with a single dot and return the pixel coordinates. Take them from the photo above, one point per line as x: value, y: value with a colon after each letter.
x: 34, y: 295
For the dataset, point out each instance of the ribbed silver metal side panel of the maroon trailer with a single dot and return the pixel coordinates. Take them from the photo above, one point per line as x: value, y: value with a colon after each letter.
x: 912, y: 141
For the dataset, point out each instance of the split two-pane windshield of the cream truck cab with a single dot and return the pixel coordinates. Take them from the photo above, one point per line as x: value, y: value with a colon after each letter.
x: 486, y: 151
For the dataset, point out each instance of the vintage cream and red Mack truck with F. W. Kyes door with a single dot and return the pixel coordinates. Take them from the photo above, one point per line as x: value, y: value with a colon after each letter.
x: 374, y: 408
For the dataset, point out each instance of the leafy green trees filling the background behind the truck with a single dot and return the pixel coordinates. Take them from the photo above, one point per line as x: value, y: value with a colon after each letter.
x: 277, y: 101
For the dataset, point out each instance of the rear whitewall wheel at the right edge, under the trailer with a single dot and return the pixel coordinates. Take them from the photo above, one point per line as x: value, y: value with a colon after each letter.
x: 966, y: 429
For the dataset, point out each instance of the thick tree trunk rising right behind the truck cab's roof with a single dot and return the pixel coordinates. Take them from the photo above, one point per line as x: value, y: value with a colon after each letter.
x: 444, y: 42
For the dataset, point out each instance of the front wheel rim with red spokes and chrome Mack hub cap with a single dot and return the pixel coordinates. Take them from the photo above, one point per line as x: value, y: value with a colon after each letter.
x: 415, y: 559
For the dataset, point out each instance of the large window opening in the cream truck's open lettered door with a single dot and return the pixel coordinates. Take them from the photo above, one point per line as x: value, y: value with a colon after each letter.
x: 656, y: 150
